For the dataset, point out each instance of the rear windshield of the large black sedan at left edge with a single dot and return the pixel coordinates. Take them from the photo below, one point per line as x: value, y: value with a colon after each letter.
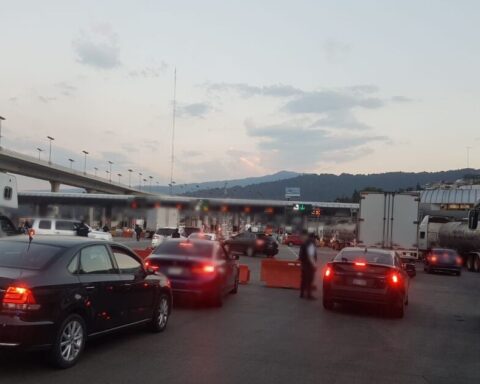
x: 20, y: 255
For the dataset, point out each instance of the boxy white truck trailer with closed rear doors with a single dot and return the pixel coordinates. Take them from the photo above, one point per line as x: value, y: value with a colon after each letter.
x: 389, y: 220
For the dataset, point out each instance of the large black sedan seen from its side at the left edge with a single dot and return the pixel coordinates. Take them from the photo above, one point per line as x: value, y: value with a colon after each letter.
x: 57, y: 292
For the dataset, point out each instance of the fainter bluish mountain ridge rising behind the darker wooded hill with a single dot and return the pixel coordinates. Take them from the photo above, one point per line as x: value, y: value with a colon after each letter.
x: 220, y: 184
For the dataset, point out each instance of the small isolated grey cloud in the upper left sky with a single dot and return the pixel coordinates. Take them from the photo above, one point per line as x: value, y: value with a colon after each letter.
x: 98, y: 47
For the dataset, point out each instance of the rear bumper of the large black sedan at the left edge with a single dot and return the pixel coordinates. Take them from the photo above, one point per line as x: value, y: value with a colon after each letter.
x: 17, y: 333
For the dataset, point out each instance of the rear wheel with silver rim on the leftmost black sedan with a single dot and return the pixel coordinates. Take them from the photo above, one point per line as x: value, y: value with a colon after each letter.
x: 69, y: 342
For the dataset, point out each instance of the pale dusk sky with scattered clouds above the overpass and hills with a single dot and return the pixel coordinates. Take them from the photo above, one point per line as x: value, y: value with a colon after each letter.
x: 262, y: 86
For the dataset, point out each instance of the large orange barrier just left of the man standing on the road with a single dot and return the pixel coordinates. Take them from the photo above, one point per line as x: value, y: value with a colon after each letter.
x: 280, y: 273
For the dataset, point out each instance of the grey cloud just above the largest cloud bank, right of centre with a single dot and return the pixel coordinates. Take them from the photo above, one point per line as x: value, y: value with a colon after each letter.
x: 331, y: 100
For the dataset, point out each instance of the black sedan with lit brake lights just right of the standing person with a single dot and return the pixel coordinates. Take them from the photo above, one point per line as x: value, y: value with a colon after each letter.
x: 373, y: 276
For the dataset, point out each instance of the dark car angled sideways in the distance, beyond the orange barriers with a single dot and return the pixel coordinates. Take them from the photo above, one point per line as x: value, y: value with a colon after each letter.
x: 250, y: 244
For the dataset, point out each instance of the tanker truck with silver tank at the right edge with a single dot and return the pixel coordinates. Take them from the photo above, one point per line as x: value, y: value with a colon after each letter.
x: 460, y: 235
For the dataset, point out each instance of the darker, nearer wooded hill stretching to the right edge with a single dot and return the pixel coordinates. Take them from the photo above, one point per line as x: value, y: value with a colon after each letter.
x: 329, y: 187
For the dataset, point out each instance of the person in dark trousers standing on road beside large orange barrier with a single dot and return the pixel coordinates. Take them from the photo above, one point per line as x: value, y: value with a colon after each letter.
x: 308, y: 260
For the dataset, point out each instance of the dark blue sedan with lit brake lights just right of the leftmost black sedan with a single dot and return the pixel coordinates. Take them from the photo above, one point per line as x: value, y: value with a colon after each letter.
x: 201, y: 268
